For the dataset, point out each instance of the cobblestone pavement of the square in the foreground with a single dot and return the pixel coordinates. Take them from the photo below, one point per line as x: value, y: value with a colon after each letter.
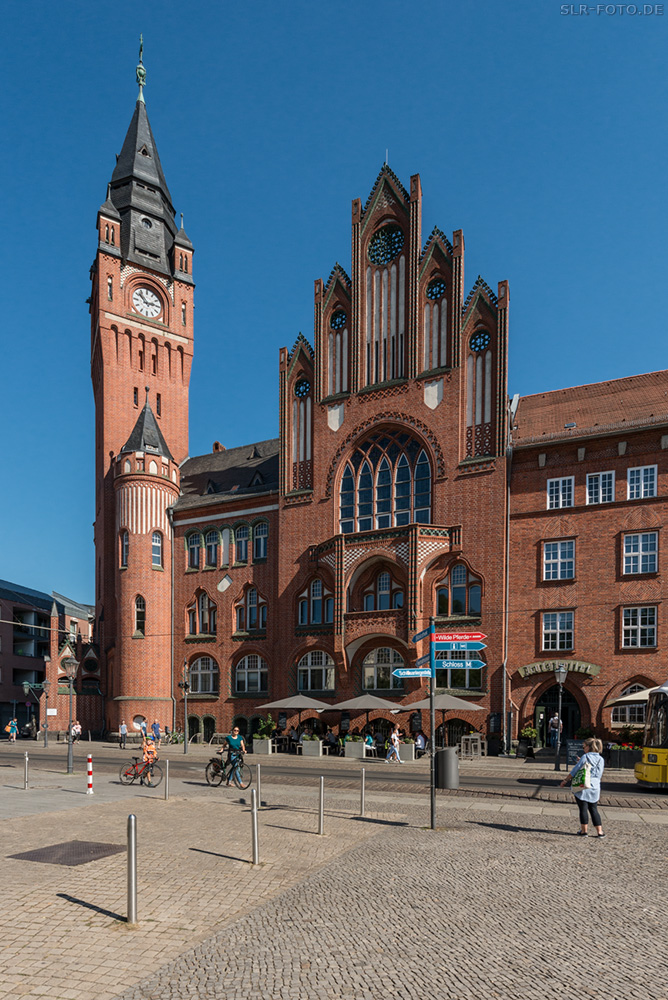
x: 484, y: 907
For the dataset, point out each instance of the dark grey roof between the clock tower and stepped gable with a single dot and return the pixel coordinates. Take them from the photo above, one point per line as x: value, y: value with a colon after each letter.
x: 223, y: 475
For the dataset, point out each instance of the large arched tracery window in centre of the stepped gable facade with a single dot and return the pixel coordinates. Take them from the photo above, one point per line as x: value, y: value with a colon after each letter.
x: 386, y: 482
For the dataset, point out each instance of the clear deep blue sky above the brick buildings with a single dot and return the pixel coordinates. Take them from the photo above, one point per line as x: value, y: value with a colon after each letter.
x: 542, y: 136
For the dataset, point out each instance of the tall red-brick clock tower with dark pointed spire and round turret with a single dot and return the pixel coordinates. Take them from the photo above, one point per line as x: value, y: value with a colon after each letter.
x: 141, y: 355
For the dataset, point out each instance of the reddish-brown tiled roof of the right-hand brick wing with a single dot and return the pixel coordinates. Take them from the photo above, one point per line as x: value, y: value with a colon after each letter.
x: 633, y: 402
